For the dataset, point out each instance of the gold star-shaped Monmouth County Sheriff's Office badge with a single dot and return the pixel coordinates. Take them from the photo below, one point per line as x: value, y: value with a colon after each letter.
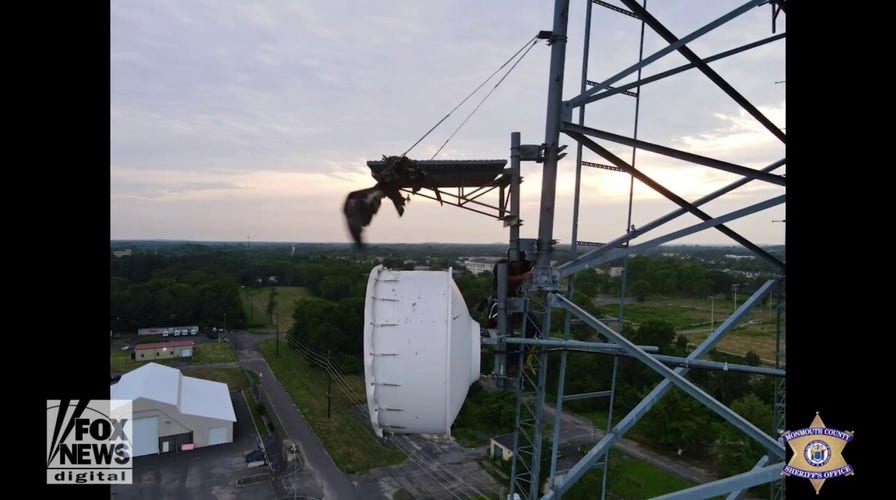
x: 817, y: 453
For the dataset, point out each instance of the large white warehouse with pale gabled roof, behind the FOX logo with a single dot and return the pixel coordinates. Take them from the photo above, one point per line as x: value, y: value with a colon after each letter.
x: 173, y: 412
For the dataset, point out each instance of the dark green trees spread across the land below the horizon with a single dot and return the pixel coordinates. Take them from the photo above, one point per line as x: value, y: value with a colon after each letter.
x: 203, y: 287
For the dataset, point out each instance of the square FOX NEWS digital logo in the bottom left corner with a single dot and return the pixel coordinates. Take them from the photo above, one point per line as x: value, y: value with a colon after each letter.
x: 89, y: 441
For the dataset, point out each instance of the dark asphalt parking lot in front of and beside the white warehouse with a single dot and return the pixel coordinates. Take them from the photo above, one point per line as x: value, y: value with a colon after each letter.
x: 216, y: 472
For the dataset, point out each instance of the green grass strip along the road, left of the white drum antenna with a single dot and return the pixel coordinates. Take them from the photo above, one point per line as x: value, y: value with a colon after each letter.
x: 347, y: 438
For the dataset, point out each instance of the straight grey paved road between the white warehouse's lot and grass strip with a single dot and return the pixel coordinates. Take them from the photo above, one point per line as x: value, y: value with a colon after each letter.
x: 330, y: 481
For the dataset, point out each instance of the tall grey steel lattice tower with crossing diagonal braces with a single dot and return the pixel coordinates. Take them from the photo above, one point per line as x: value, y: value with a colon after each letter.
x: 549, y: 294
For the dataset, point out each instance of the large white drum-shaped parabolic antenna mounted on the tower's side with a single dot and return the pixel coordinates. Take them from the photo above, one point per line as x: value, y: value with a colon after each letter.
x: 421, y: 351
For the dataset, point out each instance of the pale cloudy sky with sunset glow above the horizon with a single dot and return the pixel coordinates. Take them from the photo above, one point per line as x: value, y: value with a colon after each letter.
x: 251, y: 121
